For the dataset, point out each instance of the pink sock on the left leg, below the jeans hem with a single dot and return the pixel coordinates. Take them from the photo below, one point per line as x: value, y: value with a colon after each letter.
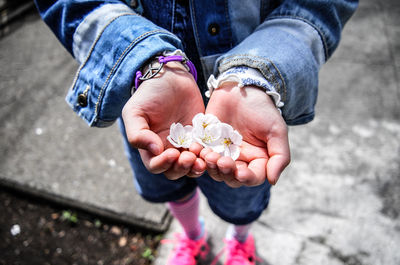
x: 187, y: 213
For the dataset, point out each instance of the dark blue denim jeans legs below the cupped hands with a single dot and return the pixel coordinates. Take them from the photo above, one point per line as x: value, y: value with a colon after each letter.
x: 234, y: 205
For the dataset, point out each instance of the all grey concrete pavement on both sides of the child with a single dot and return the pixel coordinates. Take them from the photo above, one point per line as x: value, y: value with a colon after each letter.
x: 337, y: 203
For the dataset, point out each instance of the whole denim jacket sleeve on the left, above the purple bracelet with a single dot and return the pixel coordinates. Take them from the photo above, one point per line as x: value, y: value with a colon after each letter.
x: 111, y: 42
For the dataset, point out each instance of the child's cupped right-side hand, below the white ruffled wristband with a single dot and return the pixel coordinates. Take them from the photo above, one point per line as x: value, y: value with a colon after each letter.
x: 265, y: 149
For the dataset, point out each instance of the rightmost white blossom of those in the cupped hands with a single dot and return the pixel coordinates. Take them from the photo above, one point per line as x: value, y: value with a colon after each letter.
x: 229, y: 142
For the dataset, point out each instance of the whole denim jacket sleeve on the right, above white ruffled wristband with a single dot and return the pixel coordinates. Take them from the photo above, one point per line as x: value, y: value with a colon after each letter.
x: 294, y: 39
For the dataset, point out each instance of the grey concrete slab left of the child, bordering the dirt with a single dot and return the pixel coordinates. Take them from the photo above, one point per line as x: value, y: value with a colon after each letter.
x: 49, y: 151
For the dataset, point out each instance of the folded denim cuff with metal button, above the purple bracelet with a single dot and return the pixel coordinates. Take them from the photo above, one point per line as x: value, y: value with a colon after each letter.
x: 103, y: 82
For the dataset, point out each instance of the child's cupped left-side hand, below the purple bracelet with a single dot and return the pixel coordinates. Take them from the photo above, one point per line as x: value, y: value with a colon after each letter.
x: 172, y: 96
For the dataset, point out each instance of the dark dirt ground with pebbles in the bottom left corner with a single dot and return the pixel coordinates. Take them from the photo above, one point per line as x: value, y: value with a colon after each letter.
x: 34, y: 231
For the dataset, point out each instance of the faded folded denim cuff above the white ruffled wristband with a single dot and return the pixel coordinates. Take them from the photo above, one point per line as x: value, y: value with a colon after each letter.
x: 288, y: 53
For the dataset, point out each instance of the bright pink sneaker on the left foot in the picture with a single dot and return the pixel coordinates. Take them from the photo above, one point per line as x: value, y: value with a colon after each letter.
x: 187, y: 251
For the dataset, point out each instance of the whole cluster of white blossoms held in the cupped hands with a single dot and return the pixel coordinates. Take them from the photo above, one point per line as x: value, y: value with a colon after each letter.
x: 208, y: 131
